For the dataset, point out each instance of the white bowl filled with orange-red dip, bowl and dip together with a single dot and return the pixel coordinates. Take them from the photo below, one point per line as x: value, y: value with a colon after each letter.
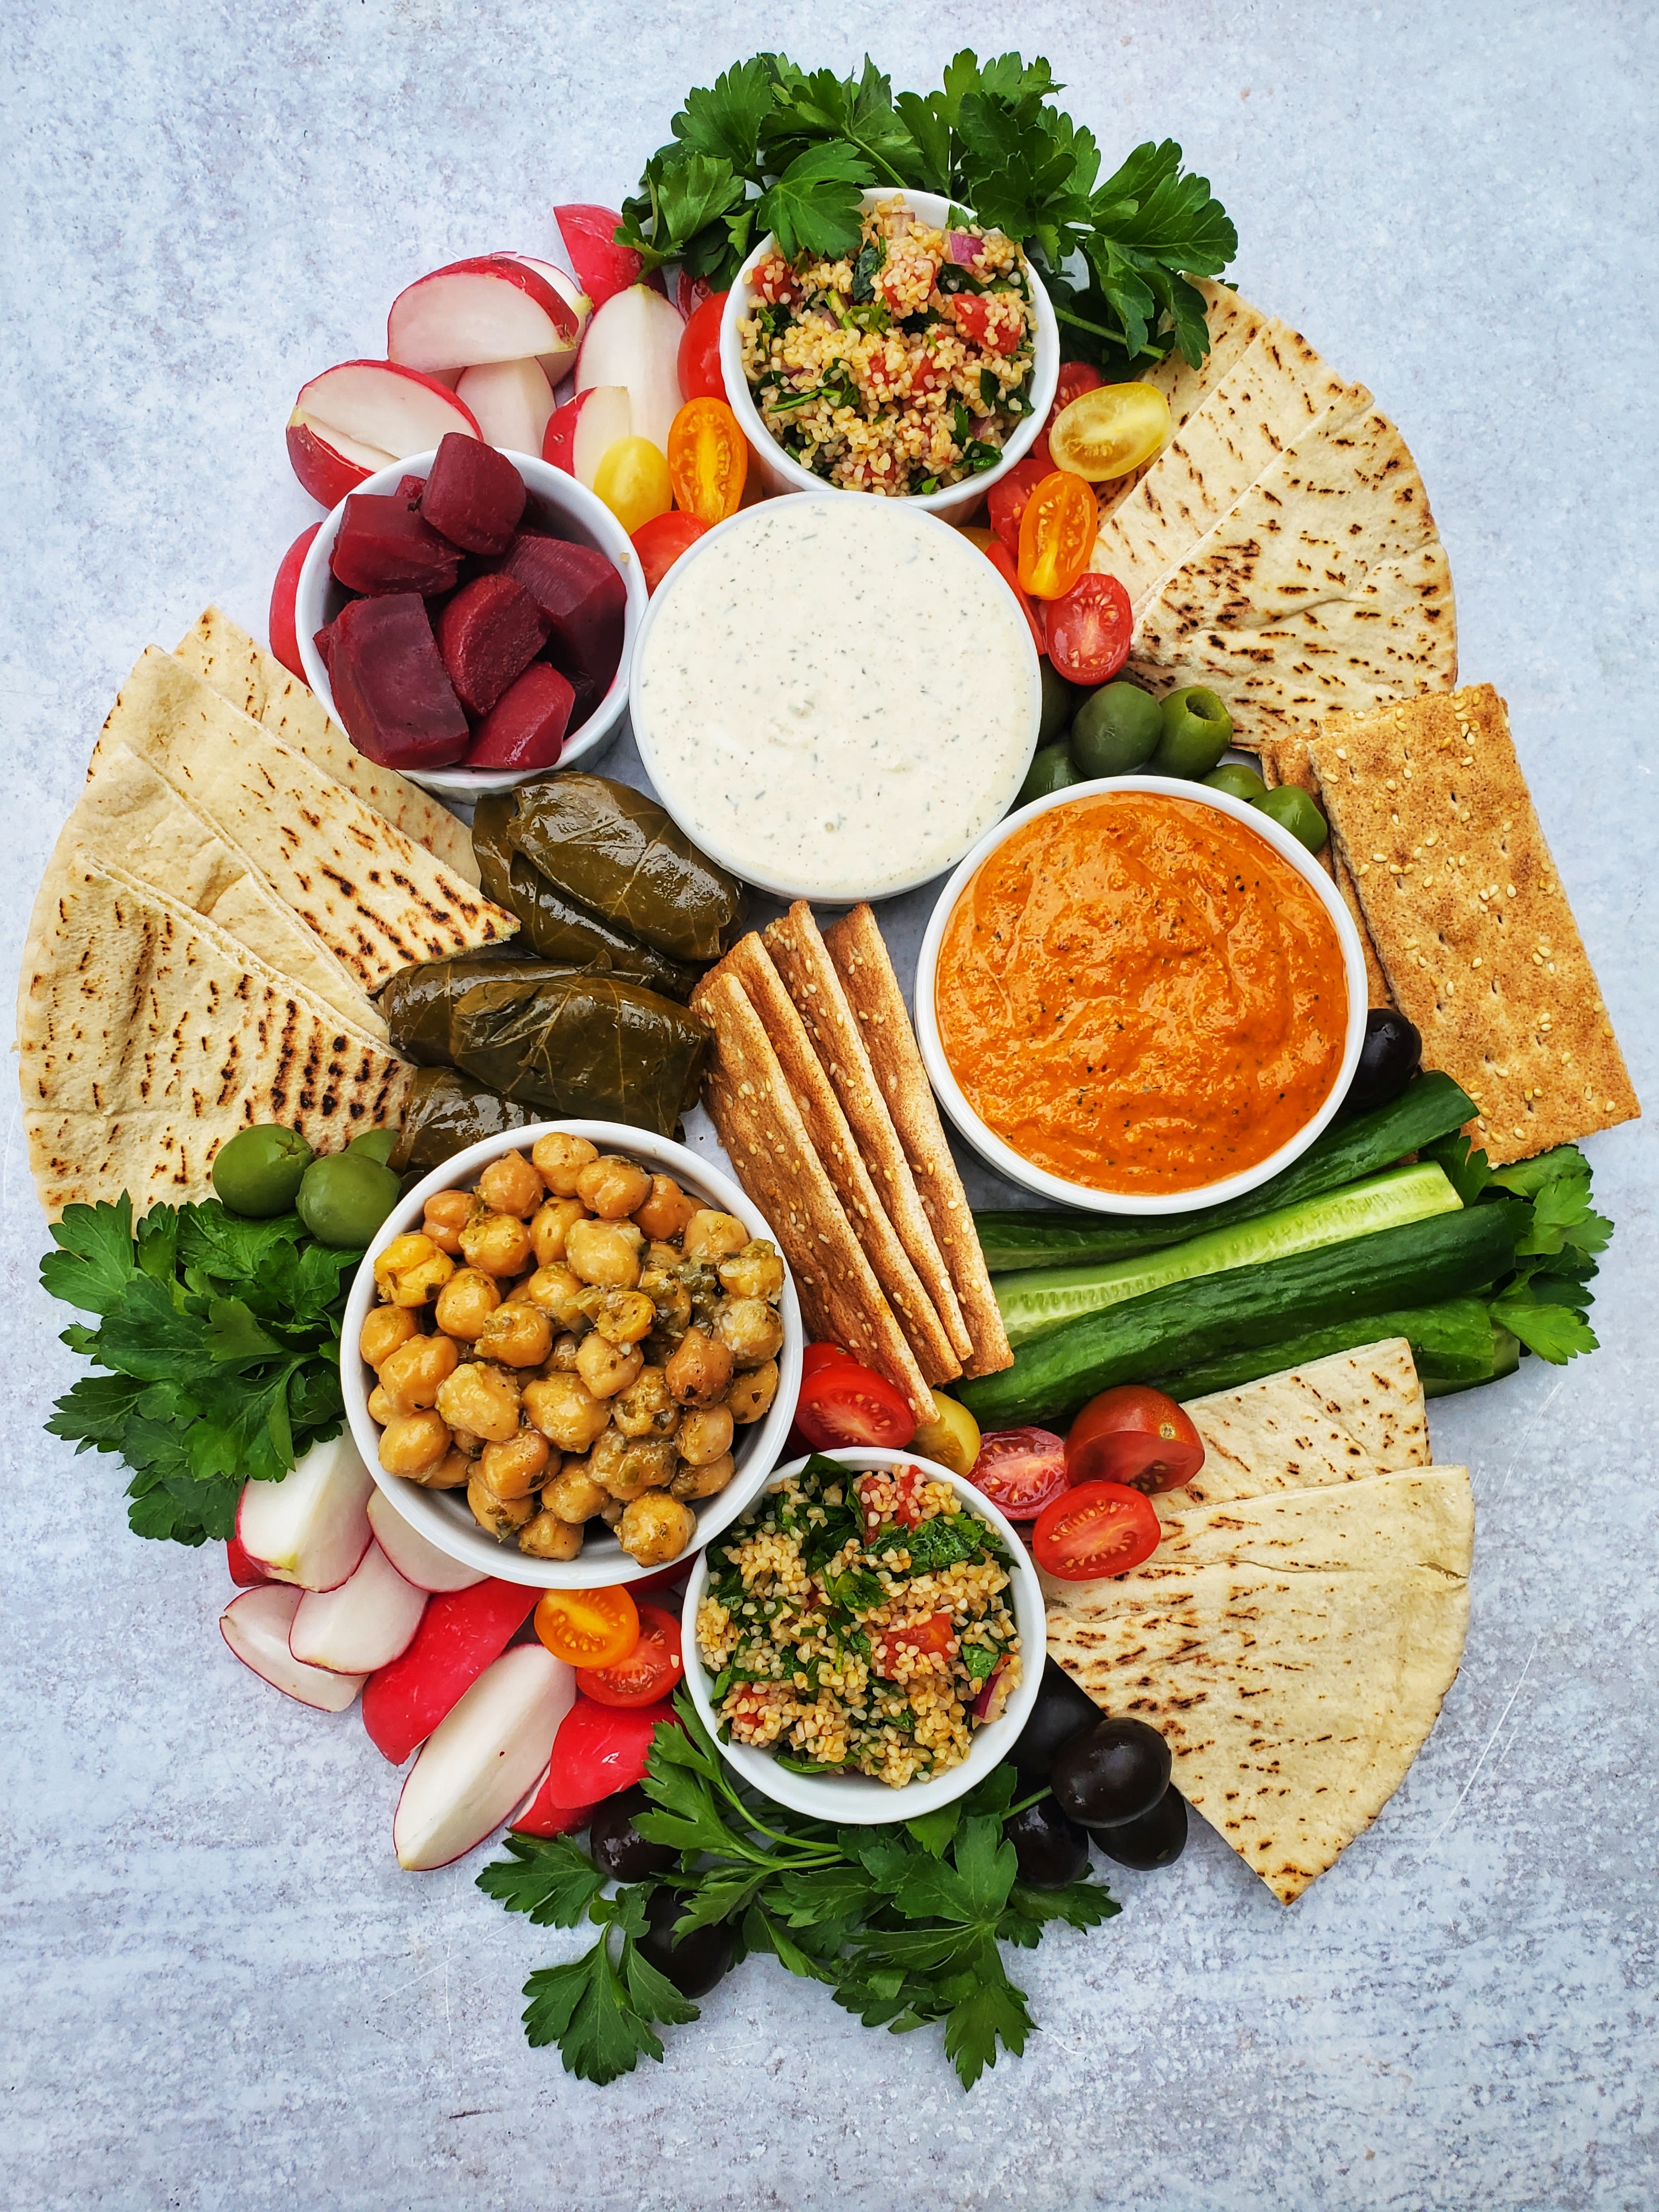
x: 1140, y: 997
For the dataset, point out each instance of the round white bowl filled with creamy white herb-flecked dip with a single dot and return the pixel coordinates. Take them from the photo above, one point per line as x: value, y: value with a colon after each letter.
x: 835, y: 698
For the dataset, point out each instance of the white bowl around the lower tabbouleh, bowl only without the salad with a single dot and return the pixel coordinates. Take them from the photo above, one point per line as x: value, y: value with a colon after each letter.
x: 855, y: 1799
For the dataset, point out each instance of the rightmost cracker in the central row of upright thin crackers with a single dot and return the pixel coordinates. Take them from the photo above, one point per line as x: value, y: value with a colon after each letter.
x: 859, y: 952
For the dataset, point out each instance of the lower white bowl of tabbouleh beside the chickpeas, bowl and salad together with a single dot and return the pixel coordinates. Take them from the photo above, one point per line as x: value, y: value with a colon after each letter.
x: 866, y: 1640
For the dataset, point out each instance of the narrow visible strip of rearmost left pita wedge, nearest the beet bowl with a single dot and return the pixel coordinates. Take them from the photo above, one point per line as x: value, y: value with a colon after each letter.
x: 260, y: 687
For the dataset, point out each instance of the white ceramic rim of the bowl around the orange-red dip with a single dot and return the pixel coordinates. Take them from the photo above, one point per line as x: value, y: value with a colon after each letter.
x: 1109, y: 1202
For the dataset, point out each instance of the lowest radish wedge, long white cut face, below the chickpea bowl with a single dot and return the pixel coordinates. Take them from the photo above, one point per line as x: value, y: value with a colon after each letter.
x: 483, y: 1757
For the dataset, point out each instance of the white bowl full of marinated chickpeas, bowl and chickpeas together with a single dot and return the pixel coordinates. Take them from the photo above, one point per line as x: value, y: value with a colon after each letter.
x: 572, y: 1355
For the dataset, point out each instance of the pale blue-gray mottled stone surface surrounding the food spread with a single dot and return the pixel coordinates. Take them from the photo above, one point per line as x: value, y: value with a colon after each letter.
x: 220, y: 1990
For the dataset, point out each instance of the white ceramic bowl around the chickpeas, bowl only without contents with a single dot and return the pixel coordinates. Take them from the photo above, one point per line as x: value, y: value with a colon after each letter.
x: 444, y: 1516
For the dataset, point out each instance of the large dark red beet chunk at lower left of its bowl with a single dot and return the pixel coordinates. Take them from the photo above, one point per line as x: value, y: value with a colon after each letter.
x: 390, y: 685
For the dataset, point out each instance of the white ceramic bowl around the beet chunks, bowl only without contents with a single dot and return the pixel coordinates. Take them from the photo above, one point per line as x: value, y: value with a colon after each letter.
x: 559, y: 505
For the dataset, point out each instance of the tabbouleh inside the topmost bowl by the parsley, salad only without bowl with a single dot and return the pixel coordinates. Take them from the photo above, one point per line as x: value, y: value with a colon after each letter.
x: 904, y: 368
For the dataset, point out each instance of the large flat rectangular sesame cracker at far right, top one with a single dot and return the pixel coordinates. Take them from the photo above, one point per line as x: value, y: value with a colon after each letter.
x: 1470, y: 919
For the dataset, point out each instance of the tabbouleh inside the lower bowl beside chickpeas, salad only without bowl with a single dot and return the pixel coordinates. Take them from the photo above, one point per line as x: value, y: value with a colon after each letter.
x: 859, y: 1625
